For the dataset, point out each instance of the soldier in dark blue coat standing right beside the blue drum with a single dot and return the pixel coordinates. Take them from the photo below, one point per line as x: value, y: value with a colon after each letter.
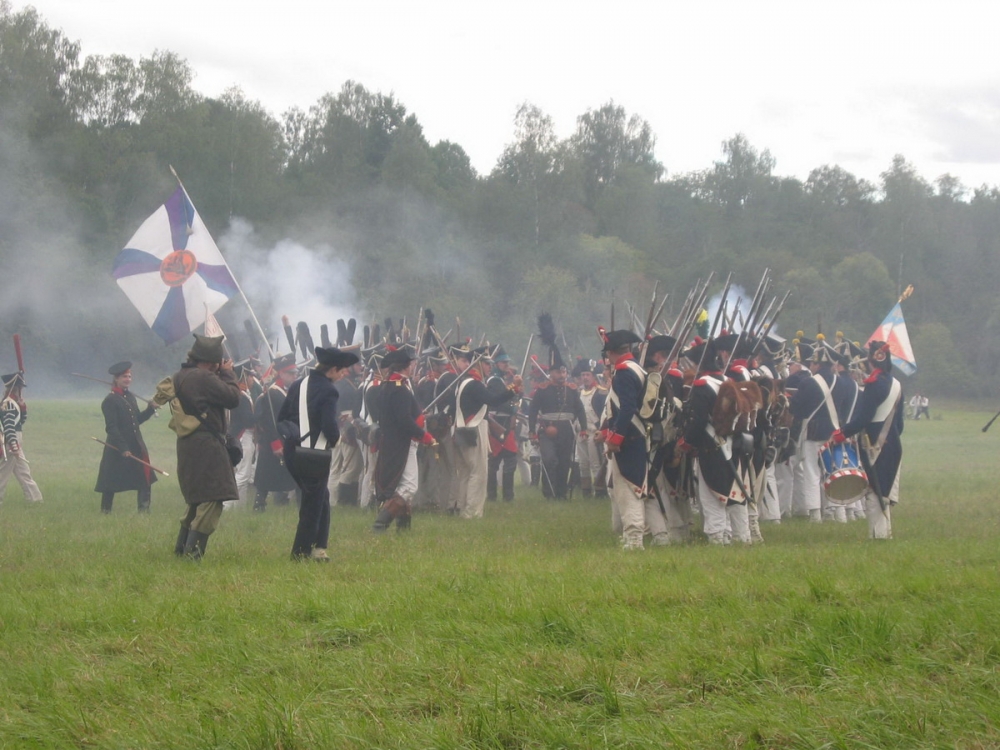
x: 878, y: 418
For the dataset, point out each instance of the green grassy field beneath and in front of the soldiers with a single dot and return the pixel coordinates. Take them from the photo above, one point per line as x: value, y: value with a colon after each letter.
x: 528, y: 628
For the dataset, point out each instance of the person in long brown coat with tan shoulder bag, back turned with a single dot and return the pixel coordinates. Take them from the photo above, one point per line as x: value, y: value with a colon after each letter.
x: 205, y: 386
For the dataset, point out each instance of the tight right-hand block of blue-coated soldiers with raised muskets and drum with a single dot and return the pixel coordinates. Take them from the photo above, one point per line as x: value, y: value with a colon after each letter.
x: 747, y: 430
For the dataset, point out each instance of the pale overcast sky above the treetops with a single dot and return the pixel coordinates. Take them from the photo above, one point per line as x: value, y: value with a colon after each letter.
x: 848, y: 83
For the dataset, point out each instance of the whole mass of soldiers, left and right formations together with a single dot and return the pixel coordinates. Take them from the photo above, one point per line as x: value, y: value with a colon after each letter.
x: 738, y: 433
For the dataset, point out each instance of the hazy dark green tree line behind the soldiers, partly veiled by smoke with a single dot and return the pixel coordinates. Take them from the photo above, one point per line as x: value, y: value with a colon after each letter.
x: 559, y: 225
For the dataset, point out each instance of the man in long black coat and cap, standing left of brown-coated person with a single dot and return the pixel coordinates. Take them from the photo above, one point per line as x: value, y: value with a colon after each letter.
x: 119, y: 472
